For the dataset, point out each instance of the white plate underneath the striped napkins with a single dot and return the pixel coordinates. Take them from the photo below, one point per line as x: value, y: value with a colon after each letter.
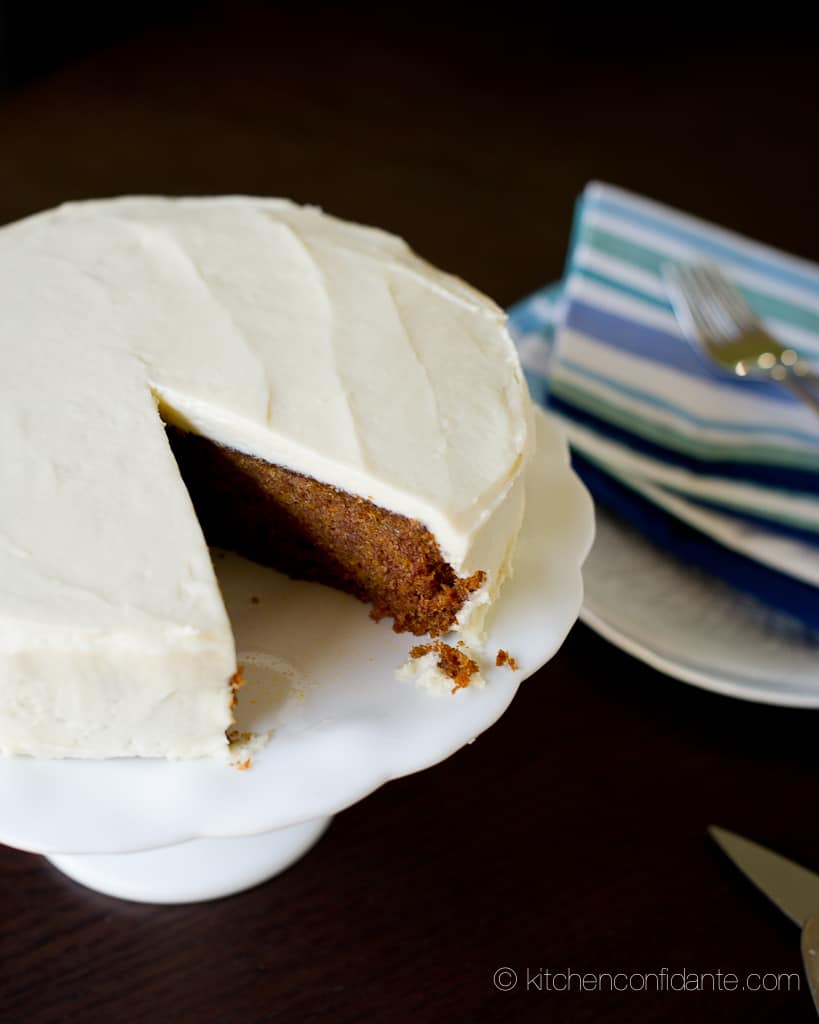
x: 692, y: 626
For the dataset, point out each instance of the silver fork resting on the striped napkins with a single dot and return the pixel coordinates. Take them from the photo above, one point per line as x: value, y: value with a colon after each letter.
x: 716, y: 317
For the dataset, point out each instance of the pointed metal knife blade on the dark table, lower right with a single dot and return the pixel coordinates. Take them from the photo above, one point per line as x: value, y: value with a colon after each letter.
x: 792, y: 887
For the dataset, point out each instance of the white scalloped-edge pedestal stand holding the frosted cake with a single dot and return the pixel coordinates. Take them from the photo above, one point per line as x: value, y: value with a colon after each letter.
x: 321, y: 676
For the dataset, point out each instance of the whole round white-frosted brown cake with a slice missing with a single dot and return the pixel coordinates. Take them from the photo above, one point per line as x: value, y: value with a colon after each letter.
x: 251, y: 374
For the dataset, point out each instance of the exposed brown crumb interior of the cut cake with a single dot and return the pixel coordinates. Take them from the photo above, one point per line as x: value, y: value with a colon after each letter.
x: 313, y: 531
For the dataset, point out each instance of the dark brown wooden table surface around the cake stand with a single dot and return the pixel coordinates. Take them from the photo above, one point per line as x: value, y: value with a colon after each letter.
x: 572, y: 836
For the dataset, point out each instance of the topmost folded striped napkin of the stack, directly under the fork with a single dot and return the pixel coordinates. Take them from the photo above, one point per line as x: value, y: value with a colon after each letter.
x: 637, y: 395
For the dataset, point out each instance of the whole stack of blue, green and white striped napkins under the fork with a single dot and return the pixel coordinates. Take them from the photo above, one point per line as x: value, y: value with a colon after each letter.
x: 681, y: 444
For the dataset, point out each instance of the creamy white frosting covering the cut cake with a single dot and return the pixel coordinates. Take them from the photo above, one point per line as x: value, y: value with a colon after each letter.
x: 317, y: 345
